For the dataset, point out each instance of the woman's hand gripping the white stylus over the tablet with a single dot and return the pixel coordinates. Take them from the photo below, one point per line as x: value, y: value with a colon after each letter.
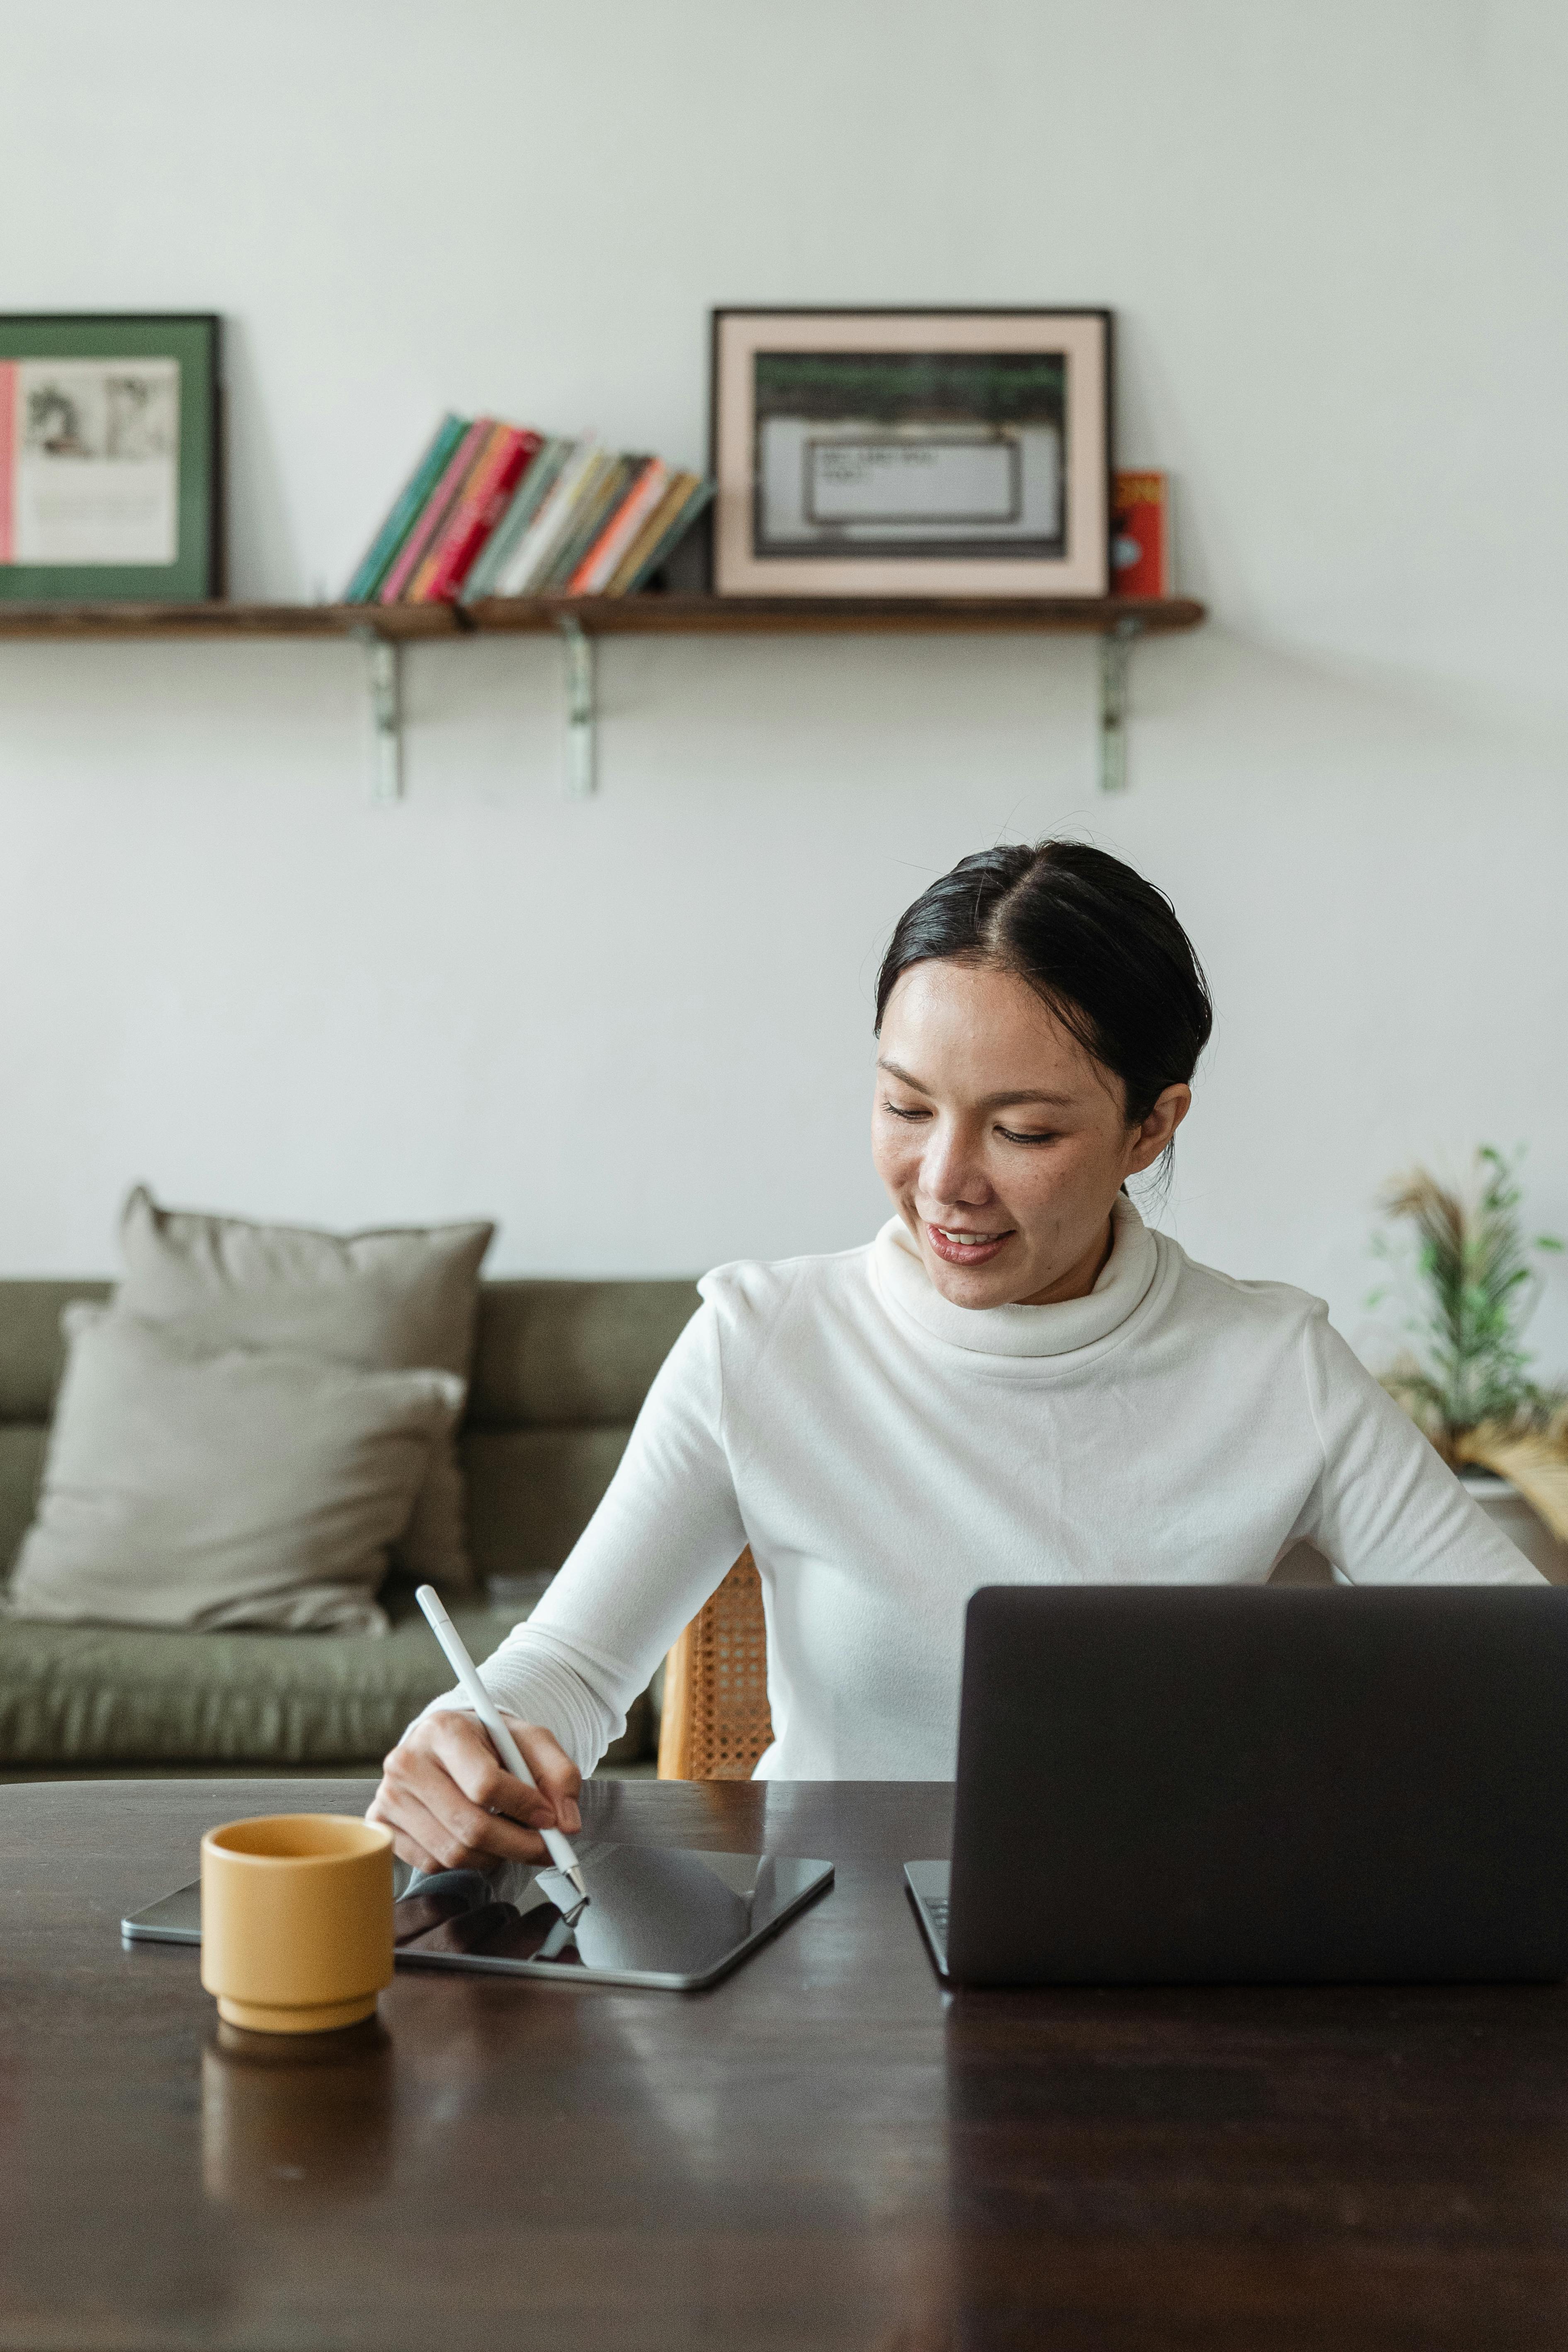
x: 453, y: 1805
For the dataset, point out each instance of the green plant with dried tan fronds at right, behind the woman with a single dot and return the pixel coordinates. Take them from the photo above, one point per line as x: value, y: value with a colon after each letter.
x: 1466, y: 1377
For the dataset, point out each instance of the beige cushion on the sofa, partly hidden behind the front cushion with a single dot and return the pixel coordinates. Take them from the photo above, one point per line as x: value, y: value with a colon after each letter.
x: 389, y: 1302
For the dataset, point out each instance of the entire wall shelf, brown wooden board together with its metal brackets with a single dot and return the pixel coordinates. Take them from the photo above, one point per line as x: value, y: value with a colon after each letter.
x: 387, y: 629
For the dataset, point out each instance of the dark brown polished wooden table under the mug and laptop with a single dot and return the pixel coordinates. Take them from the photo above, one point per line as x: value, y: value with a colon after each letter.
x: 819, y: 2153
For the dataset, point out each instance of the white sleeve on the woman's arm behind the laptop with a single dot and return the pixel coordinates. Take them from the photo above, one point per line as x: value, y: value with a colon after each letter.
x: 1388, y: 1509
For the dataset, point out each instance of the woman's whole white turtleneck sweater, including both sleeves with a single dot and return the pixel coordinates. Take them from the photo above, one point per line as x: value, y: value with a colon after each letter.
x: 885, y: 1452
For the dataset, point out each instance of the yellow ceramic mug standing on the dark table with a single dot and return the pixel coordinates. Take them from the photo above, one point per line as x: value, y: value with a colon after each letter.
x: 297, y: 1920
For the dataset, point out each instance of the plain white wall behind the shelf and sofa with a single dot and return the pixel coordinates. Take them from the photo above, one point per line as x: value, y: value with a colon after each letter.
x: 638, y: 1029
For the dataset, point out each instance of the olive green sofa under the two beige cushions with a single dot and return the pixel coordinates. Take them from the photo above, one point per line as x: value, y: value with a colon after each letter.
x: 561, y: 1372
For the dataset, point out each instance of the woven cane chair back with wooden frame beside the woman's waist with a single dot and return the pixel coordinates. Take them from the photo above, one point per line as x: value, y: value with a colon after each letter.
x: 716, y: 1720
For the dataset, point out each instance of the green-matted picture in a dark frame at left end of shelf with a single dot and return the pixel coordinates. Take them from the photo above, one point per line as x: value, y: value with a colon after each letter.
x: 109, y: 457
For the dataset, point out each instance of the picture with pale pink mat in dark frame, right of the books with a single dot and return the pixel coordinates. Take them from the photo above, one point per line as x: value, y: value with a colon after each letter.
x: 911, y: 453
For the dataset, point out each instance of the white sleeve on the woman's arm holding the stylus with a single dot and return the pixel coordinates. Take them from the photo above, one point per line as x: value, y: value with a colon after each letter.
x: 648, y: 1561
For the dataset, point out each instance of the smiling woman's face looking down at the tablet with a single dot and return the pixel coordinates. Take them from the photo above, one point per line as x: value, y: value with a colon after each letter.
x: 1000, y: 1140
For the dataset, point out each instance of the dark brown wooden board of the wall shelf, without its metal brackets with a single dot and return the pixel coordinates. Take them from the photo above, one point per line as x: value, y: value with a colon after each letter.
x: 610, y: 617
